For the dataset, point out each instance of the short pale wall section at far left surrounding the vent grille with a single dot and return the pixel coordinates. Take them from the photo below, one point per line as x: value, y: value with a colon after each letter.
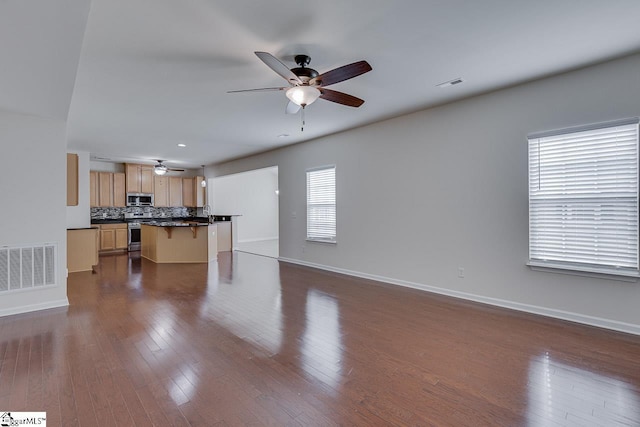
x: 33, y: 193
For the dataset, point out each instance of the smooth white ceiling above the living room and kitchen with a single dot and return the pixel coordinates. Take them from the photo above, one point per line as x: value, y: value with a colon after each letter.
x: 154, y: 73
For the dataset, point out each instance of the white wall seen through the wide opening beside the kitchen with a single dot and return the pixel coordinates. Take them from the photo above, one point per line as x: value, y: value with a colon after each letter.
x: 252, y: 195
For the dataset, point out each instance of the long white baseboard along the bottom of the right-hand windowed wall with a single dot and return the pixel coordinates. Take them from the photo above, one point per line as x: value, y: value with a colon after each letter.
x: 615, y: 325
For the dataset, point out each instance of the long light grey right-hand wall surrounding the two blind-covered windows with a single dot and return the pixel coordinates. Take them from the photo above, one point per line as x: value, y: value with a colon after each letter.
x: 421, y: 195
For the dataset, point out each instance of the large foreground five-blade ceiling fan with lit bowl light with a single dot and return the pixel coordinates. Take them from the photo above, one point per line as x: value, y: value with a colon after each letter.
x: 306, y: 85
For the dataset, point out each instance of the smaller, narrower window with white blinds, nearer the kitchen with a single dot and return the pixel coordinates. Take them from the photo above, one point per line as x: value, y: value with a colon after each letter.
x: 321, y: 204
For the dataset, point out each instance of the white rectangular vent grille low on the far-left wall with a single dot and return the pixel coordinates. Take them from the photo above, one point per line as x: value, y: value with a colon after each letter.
x: 27, y: 267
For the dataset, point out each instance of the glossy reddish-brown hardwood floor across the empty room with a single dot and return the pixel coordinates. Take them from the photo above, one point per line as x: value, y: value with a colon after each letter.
x: 250, y: 341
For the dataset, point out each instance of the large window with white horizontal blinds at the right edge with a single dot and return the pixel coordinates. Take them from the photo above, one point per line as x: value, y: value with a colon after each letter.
x: 583, y: 198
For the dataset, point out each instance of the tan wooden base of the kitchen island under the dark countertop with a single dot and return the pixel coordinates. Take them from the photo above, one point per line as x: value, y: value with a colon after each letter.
x: 179, y: 244
